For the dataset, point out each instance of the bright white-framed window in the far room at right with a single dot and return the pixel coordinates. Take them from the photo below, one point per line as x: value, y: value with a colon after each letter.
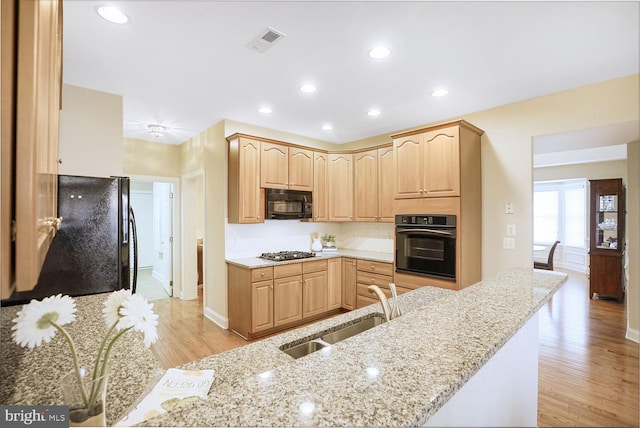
x: 560, y: 212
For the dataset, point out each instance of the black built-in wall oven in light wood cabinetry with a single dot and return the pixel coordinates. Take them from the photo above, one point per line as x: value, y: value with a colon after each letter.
x: 426, y: 245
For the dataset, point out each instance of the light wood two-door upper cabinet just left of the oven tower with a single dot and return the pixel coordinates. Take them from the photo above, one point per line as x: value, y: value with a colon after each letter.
x: 373, y: 185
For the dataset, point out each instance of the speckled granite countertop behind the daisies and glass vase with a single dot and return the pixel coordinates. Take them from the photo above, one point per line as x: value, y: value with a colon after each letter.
x: 30, y: 376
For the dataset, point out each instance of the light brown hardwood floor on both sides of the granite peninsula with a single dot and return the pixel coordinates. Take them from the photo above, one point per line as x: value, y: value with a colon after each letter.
x: 588, y: 371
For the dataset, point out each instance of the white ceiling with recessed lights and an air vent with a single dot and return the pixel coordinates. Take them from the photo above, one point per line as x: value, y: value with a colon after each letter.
x: 186, y: 64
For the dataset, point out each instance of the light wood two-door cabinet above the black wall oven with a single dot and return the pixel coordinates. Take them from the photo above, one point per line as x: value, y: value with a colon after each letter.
x: 427, y: 162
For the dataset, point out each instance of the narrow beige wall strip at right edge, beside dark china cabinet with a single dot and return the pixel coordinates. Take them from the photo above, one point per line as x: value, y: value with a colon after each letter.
x: 633, y: 237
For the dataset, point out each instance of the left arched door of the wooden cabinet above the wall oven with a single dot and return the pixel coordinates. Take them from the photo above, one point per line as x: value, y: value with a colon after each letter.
x: 407, y: 153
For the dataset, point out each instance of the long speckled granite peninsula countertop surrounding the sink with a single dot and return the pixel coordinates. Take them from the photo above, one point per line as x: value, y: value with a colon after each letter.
x: 397, y: 374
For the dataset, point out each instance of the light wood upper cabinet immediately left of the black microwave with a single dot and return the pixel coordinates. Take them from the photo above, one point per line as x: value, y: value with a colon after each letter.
x: 246, y: 198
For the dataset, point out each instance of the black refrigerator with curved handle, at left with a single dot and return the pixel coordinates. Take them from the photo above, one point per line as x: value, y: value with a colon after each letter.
x: 95, y: 249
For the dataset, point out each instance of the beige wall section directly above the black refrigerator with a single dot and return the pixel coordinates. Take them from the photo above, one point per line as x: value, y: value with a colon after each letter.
x: 90, y: 133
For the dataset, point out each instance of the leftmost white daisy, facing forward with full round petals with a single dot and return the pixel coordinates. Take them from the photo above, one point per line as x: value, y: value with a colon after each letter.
x: 33, y: 322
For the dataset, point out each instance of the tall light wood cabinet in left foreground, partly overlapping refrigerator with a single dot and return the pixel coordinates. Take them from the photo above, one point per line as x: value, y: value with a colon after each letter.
x: 31, y: 95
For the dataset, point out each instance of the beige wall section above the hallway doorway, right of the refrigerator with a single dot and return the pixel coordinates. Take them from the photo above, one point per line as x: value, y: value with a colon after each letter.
x: 148, y: 158
